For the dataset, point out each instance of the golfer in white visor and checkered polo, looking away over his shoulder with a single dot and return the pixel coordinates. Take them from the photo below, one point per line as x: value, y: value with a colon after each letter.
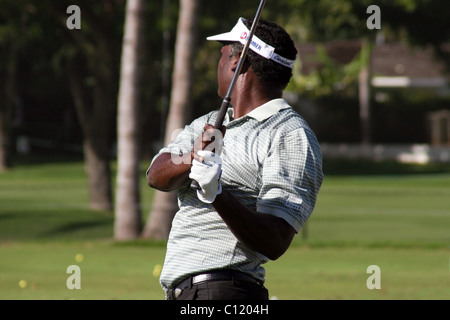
x: 259, y: 176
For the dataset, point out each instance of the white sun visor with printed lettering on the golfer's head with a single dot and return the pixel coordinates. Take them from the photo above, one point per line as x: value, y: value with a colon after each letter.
x: 240, y: 33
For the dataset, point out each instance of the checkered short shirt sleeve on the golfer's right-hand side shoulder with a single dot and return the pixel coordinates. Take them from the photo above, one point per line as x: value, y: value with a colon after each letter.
x: 291, y: 177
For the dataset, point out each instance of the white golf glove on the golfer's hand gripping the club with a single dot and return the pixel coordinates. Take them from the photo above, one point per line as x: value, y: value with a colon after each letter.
x: 207, y: 174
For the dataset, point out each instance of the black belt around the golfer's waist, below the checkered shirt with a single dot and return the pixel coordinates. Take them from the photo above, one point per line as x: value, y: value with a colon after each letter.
x: 220, y: 275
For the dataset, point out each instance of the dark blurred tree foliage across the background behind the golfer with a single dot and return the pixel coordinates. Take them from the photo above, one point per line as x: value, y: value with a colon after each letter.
x: 39, y: 54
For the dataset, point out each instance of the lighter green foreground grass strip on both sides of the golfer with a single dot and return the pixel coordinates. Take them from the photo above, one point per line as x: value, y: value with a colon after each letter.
x: 111, y: 271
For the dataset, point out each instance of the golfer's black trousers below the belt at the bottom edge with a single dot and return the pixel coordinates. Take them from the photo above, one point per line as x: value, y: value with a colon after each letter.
x: 225, y: 290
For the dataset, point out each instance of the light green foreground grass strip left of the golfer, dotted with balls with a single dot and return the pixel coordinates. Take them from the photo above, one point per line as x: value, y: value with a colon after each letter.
x: 108, y: 271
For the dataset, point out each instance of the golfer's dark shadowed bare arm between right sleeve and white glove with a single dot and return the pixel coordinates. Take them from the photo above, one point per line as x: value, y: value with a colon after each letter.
x: 264, y: 233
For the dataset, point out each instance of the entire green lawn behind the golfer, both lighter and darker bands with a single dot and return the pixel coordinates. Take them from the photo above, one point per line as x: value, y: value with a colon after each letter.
x: 397, y: 222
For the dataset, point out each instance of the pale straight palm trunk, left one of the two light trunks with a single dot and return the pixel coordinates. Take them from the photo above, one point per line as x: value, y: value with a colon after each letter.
x: 127, y: 223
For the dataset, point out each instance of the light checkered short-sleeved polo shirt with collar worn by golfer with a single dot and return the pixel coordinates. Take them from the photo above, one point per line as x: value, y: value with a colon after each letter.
x: 271, y: 162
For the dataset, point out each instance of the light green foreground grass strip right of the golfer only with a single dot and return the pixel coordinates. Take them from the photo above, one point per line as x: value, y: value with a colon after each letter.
x: 341, y: 273
